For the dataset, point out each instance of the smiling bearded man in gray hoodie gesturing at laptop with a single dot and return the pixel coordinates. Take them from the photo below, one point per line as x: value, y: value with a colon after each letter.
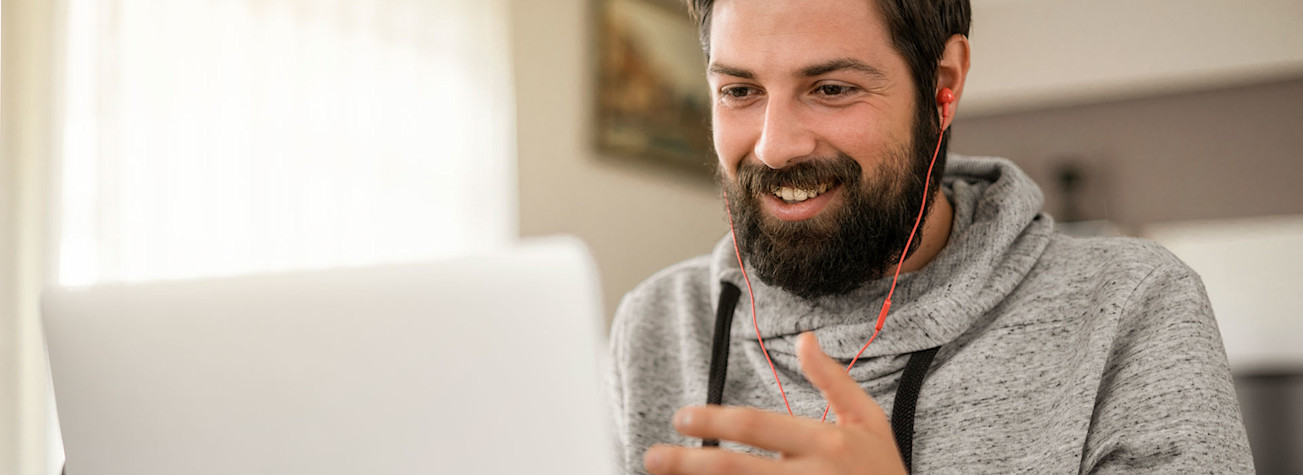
x: 1009, y: 348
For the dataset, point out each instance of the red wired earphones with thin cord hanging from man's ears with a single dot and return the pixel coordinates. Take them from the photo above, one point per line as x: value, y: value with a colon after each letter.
x: 947, y: 101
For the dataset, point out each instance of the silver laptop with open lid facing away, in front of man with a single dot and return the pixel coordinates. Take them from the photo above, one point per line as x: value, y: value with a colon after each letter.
x: 474, y: 366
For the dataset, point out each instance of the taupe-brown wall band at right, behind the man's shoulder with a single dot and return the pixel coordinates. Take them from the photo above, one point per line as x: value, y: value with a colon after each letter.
x: 1190, y: 157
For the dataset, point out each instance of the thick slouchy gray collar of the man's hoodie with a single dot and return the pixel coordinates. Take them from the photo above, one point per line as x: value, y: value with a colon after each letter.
x: 997, y: 235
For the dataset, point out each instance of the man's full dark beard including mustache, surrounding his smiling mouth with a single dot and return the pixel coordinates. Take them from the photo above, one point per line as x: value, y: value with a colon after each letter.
x: 849, y: 244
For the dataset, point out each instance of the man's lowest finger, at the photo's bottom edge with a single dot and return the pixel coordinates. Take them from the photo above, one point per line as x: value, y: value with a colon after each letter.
x: 668, y: 460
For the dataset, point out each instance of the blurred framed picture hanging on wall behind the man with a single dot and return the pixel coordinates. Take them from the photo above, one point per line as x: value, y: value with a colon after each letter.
x: 653, y: 98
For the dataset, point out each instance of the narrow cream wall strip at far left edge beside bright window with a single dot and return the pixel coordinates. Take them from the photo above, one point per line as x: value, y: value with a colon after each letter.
x: 27, y: 139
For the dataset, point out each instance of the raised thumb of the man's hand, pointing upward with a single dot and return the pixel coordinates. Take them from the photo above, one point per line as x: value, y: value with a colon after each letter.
x: 852, y: 404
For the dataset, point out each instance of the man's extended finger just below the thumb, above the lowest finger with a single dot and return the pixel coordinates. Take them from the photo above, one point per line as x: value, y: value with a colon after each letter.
x: 759, y: 429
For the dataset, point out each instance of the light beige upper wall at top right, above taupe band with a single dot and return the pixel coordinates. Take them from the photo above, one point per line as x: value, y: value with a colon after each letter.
x: 1037, y: 54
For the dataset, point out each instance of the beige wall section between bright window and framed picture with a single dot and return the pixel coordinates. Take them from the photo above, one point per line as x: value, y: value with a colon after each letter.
x: 637, y: 219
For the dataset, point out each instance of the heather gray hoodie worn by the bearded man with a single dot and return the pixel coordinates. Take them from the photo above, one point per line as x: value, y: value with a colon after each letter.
x: 1057, y: 356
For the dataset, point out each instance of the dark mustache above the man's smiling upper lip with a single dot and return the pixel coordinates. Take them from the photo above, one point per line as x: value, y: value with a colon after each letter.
x: 755, y: 178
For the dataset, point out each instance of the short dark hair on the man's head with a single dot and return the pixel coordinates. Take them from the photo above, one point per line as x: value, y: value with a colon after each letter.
x: 919, y: 32
